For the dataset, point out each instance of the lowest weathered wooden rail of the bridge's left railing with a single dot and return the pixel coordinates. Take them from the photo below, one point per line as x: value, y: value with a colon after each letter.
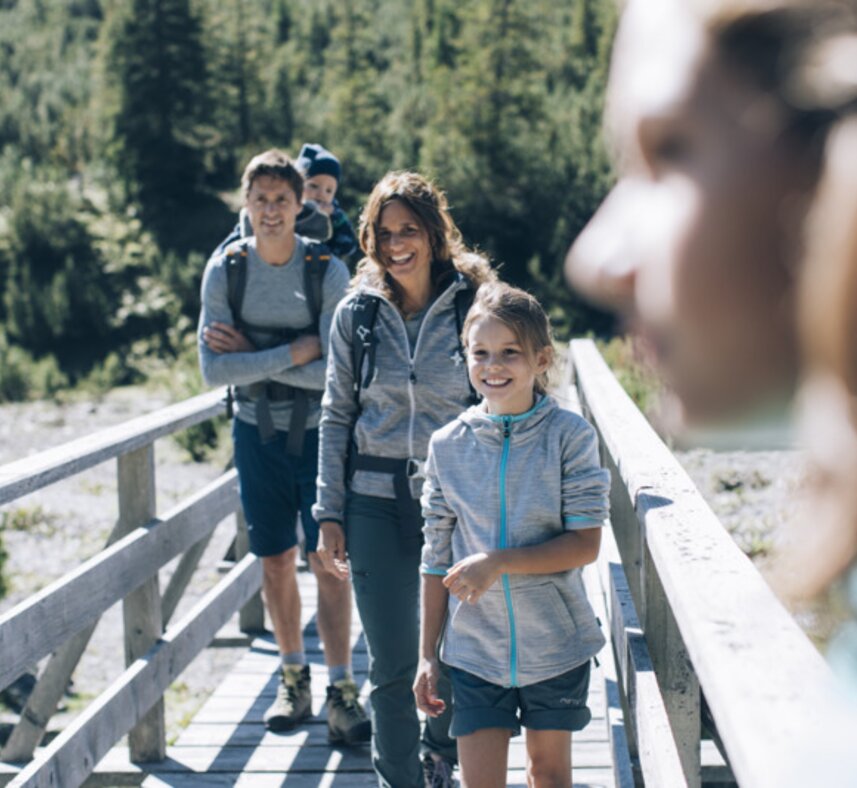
x: 71, y: 757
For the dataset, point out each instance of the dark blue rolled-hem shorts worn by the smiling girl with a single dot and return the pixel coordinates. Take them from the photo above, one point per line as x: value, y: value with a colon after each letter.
x: 556, y: 704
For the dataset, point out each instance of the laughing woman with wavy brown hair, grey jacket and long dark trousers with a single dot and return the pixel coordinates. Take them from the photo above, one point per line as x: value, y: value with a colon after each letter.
x: 374, y: 431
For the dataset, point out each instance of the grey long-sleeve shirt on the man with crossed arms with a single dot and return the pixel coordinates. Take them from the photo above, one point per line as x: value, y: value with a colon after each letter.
x: 274, y: 297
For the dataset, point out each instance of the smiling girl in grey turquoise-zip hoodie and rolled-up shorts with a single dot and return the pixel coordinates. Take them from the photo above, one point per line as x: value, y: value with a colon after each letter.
x: 514, y: 500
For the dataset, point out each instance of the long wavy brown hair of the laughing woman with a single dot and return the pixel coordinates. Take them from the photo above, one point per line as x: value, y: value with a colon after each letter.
x: 429, y: 205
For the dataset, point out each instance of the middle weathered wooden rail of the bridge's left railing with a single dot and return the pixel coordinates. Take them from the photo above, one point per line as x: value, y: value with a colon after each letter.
x: 45, y: 620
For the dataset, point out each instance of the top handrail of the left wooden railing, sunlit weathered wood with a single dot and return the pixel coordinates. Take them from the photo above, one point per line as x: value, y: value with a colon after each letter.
x: 32, y: 473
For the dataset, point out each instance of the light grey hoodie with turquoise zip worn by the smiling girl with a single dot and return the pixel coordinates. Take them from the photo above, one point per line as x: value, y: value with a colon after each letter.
x: 494, y: 482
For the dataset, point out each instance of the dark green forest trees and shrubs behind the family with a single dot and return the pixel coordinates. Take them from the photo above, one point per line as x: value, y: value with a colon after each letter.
x: 124, y: 122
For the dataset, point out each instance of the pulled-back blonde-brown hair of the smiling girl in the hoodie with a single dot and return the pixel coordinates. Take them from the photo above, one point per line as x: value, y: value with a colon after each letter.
x: 523, y: 315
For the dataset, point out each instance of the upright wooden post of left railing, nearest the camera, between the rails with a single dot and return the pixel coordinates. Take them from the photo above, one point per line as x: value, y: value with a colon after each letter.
x: 142, y: 607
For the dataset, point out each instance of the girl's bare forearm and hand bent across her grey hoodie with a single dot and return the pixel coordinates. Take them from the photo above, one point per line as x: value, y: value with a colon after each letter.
x: 471, y: 577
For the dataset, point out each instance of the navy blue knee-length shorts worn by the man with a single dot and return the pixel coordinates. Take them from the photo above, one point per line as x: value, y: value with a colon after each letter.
x: 274, y: 487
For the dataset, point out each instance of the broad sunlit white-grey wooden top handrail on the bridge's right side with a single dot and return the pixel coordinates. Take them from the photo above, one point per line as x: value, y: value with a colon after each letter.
x: 773, y: 714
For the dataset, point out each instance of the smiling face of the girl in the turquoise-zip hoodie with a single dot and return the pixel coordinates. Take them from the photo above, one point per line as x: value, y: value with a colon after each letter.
x: 500, y: 369
